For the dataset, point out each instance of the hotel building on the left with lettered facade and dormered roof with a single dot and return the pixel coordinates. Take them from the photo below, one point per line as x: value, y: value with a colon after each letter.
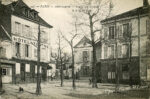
x: 19, y: 27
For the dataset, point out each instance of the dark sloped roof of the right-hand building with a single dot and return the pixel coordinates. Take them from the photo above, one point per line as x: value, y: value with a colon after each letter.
x: 141, y: 10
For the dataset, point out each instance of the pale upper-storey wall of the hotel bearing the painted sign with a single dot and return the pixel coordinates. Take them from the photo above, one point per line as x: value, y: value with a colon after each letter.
x: 31, y: 38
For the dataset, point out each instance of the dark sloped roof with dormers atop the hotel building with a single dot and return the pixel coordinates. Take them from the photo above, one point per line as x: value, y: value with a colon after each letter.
x: 17, y: 10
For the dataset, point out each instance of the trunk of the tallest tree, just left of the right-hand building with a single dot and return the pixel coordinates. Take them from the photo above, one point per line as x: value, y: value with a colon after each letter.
x: 94, y: 79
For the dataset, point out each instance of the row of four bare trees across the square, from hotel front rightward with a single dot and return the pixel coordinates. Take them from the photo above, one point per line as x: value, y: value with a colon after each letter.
x: 91, y: 12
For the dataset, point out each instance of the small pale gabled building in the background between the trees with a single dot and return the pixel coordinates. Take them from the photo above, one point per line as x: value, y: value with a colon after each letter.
x: 83, y: 57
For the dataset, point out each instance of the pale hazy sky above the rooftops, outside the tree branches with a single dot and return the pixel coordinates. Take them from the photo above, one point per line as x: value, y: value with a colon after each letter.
x: 52, y: 12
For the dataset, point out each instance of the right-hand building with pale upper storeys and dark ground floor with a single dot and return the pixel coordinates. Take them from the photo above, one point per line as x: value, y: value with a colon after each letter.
x: 125, y: 41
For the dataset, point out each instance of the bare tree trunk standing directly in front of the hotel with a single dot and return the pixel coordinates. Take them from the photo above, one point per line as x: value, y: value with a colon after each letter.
x: 38, y: 88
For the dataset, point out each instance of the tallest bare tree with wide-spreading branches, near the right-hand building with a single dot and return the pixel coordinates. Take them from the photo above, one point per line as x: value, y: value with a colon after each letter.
x: 90, y: 14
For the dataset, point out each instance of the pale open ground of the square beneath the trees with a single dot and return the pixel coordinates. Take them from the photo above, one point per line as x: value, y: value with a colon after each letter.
x: 52, y: 90
